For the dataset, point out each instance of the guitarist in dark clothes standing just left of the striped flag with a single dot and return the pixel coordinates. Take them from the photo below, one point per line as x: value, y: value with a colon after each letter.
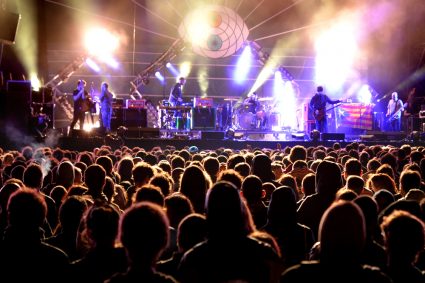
x: 318, y: 107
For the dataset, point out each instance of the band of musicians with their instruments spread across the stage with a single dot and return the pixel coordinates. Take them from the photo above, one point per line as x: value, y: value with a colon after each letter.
x: 250, y: 112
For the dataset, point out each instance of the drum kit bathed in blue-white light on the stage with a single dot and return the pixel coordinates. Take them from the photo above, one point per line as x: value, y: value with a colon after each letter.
x: 260, y: 116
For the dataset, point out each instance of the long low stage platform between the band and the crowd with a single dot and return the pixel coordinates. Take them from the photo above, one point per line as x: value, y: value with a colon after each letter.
x: 234, y: 138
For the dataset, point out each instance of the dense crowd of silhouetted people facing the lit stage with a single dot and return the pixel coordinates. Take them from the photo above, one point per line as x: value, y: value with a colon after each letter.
x: 352, y: 213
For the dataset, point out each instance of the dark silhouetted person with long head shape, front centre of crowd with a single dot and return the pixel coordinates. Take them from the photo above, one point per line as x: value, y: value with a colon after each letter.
x: 229, y: 254
